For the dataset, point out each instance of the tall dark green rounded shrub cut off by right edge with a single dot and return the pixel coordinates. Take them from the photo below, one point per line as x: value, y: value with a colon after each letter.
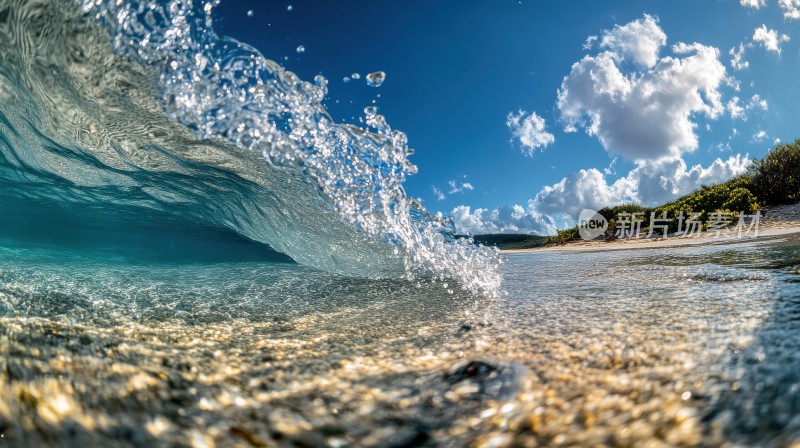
x: 776, y: 177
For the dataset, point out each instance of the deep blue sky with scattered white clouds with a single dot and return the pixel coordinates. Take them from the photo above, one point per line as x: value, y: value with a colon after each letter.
x: 522, y: 113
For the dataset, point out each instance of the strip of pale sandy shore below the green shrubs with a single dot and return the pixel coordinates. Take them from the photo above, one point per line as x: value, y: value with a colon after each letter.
x: 777, y: 221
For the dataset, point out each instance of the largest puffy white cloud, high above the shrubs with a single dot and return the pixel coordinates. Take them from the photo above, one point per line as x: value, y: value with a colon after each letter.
x: 644, y: 114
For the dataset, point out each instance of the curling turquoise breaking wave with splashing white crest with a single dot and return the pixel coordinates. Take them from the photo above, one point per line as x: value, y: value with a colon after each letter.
x: 139, y: 109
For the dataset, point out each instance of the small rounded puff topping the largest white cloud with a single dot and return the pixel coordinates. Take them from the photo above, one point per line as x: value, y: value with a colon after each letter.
x: 639, y: 41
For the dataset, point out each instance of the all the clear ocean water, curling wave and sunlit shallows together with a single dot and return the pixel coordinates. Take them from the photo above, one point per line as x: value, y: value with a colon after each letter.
x: 192, y: 253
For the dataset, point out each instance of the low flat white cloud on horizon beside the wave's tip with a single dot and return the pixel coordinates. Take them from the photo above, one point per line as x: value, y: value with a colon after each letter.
x: 514, y: 219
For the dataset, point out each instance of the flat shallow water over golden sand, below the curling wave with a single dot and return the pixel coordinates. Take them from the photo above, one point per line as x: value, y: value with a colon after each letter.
x: 694, y: 345
